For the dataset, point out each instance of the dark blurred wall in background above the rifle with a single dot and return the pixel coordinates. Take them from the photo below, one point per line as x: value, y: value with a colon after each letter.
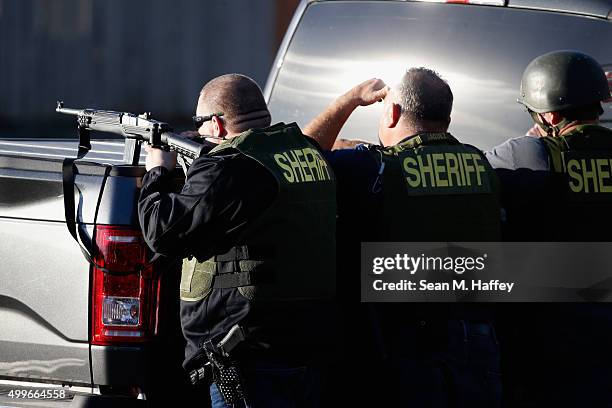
x: 137, y: 55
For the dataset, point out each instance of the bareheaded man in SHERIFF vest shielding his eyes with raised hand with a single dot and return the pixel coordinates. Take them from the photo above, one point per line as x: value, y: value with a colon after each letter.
x: 419, y: 184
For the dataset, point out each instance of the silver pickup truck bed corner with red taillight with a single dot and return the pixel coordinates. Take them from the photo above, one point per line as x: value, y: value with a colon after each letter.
x: 71, y: 334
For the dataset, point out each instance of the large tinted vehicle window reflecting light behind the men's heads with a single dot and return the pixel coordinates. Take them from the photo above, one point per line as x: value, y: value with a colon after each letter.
x: 480, y: 51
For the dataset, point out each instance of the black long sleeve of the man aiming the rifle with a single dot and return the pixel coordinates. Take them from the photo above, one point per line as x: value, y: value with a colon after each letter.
x: 221, y: 195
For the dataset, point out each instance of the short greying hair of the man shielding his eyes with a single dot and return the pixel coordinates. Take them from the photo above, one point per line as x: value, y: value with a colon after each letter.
x: 424, y: 96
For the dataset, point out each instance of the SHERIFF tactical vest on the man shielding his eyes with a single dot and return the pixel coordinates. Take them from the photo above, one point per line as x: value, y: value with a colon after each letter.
x: 437, y: 189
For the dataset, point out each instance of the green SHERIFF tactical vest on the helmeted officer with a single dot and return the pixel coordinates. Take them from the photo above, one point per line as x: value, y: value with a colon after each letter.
x: 582, y: 159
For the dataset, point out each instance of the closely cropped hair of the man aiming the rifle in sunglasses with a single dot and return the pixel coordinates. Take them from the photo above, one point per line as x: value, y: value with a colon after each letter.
x: 240, y: 100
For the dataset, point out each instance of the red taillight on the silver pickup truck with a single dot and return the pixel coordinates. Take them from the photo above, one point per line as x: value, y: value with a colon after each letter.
x: 125, y: 288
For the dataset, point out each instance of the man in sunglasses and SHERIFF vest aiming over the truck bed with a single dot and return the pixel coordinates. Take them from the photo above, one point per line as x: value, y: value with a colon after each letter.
x: 255, y: 222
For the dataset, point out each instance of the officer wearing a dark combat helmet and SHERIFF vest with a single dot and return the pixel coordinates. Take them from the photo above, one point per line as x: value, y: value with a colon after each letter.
x: 557, y: 186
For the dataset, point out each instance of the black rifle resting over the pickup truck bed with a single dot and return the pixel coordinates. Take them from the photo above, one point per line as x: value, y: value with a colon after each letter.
x: 136, y: 128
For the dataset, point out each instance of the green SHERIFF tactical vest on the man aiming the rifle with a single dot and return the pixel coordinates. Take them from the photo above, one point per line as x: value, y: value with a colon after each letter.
x: 287, y: 253
